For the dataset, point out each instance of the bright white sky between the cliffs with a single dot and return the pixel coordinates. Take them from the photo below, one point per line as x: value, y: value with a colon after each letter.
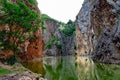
x: 61, y: 10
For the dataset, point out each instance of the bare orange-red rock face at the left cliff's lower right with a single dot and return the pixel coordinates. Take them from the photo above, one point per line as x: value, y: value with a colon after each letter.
x: 32, y: 48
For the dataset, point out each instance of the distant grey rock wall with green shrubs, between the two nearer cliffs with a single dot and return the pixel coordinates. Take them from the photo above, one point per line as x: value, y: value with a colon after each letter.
x: 59, y: 41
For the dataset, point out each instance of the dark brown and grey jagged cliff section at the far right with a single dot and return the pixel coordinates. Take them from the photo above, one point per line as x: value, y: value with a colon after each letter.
x: 105, y: 22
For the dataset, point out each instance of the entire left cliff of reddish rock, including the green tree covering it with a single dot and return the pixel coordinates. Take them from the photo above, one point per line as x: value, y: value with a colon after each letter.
x: 22, y: 17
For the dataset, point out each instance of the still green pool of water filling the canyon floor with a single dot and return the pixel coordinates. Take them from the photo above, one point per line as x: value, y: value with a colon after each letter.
x: 74, y: 68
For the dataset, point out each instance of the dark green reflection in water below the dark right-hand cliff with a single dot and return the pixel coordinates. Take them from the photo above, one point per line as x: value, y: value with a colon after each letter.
x: 107, y: 71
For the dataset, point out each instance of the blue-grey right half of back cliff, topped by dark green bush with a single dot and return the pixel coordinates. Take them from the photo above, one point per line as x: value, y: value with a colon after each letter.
x: 67, y: 41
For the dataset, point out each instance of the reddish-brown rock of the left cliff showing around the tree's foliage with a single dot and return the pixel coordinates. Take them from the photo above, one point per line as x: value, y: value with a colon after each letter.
x: 29, y: 48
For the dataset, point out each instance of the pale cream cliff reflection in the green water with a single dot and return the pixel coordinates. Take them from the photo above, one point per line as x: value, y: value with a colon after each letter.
x: 85, y: 68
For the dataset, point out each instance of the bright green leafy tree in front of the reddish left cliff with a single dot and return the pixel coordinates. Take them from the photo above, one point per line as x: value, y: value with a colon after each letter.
x: 21, y: 20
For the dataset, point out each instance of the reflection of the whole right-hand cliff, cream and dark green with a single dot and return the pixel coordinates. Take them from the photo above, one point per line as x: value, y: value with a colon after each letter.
x: 88, y: 70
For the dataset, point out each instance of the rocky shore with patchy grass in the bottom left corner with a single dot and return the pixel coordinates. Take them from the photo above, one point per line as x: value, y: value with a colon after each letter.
x: 18, y: 72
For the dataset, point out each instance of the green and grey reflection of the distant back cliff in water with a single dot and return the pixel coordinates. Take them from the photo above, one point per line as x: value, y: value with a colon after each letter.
x: 60, y: 68
